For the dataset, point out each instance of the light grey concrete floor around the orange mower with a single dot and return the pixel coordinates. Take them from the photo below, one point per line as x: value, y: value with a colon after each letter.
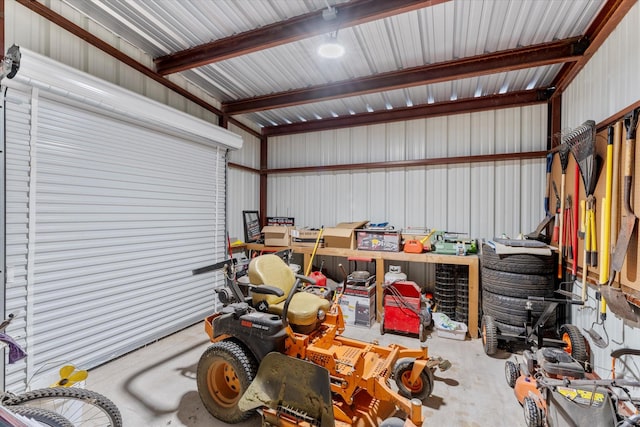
x: 155, y: 386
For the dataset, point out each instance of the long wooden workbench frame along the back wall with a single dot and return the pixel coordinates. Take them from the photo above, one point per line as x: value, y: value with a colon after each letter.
x: 472, y: 261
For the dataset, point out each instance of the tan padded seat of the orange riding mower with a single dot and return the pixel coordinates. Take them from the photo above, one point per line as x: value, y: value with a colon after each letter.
x: 271, y: 270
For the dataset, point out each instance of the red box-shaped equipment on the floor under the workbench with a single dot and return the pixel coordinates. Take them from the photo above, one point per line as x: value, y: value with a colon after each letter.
x: 402, y: 303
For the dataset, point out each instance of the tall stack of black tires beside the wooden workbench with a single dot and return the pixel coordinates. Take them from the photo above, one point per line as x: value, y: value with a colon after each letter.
x: 507, y: 283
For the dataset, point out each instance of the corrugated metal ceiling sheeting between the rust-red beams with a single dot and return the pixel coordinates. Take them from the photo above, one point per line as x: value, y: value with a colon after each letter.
x: 443, y: 32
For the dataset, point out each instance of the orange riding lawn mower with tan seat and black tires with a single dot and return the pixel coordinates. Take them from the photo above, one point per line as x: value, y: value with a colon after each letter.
x: 280, y: 351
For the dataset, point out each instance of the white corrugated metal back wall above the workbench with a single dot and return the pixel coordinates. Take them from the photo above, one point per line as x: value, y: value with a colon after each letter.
x: 482, y: 199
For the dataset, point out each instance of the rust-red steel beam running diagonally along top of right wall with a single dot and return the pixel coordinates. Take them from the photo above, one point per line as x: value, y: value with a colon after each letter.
x: 602, y: 26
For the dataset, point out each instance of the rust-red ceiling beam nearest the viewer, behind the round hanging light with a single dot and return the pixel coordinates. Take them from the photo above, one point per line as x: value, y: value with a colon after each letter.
x: 300, y: 27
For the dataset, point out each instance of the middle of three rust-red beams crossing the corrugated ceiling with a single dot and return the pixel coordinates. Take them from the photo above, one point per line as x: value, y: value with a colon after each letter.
x: 513, y: 59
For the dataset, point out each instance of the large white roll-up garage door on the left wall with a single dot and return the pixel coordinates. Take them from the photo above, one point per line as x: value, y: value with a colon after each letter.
x: 111, y: 201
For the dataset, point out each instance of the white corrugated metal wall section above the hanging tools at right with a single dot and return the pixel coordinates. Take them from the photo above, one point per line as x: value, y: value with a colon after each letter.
x: 609, y: 82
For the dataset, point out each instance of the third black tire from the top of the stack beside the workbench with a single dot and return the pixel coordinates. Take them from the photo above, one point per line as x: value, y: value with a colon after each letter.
x: 512, y: 311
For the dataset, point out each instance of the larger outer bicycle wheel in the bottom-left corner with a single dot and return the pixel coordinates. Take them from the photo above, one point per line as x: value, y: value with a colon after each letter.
x: 84, y: 408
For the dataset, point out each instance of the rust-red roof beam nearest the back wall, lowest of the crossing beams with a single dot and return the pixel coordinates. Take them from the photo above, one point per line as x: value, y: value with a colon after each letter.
x: 467, y: 105
